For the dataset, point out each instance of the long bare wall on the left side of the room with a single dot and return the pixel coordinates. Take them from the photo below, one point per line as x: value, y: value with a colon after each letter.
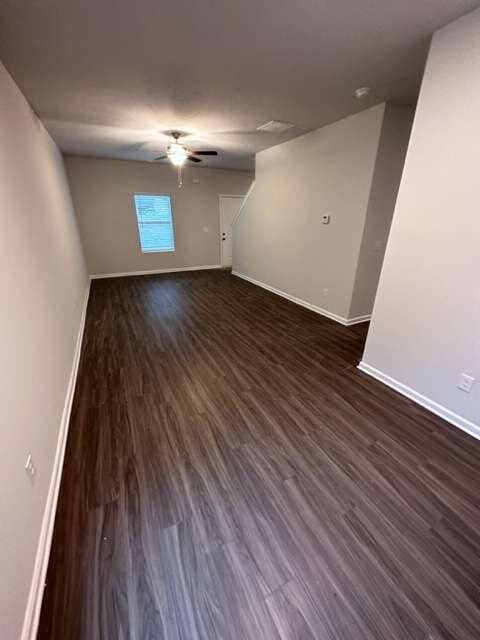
x: 43, y: 284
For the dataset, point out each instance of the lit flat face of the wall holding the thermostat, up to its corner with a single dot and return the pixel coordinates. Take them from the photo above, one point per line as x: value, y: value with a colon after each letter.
x: 280, y: 240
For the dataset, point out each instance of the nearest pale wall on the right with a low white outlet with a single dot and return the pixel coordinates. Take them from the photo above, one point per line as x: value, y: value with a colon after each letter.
x: 426, y: 323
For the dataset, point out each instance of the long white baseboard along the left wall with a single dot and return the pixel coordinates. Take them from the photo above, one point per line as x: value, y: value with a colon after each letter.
x: 34, y: 603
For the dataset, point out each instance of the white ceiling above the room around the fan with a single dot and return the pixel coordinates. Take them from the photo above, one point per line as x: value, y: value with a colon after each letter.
x: 106, y: 76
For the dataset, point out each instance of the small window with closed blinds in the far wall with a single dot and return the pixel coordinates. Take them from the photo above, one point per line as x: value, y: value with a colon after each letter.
x: 155, y: 222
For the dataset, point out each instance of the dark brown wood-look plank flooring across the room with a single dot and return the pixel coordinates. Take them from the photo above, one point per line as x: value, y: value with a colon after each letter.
x: 231, y: 475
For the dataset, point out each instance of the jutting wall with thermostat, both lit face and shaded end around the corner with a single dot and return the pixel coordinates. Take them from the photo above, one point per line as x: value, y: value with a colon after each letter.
x: 279, y: 239
